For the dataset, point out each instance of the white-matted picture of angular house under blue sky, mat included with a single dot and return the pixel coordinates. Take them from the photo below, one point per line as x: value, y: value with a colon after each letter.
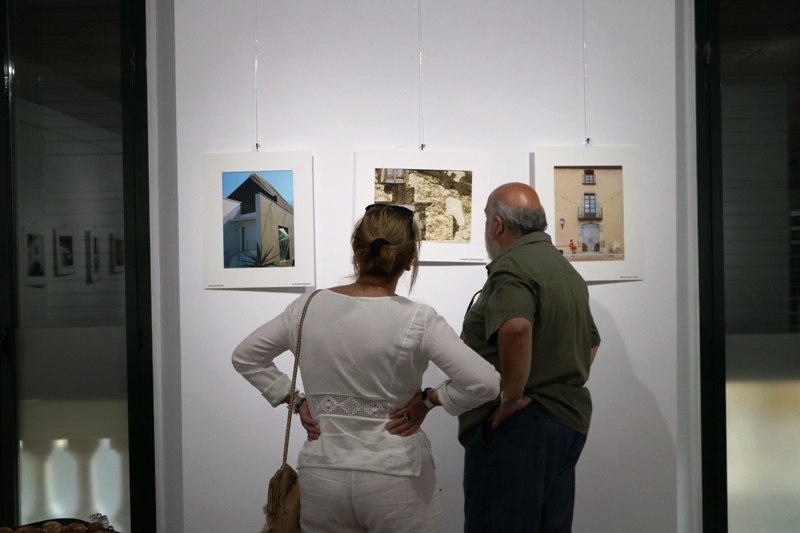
x: 258, y: 212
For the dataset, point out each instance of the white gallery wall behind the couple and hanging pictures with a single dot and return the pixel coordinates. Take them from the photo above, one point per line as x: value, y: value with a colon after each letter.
x: 500, y: 77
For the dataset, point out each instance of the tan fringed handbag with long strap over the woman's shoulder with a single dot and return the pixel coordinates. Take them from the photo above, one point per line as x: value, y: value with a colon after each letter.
x: 283, y: 500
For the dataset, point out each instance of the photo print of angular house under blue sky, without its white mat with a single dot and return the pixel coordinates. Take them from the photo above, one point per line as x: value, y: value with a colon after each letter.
x: 257, y: 220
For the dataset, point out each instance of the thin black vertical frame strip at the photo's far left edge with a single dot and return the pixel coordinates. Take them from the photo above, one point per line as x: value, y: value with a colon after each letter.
x: 9, y: 457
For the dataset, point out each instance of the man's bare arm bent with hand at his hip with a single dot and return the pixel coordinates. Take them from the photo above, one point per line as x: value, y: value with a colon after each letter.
x: 514, y: 340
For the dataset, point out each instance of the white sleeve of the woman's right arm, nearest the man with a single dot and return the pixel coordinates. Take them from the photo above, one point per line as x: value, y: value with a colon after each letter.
x: 472, y: 380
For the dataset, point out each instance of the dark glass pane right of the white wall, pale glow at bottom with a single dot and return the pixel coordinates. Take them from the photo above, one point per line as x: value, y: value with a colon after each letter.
x: 760, y: 88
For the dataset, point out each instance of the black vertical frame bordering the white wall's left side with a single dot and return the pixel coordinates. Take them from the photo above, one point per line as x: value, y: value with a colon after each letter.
x: 141, y: 419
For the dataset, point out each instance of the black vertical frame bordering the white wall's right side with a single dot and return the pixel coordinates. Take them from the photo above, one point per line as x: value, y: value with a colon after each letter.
x: 711, y: 276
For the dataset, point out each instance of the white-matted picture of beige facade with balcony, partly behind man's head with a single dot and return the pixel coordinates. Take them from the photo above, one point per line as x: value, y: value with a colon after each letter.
x: 592, y: 199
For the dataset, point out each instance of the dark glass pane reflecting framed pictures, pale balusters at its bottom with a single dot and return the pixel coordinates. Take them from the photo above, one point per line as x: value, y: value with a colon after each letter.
x: 67, y: 160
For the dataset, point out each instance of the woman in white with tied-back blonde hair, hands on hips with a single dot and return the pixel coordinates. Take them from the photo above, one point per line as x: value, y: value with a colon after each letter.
x: 366, y: 466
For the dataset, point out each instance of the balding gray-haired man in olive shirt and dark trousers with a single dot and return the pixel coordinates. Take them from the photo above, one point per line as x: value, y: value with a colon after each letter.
x: 533, y: 323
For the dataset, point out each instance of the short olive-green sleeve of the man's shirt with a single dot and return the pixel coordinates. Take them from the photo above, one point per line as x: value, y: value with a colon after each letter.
x: 508, y: 296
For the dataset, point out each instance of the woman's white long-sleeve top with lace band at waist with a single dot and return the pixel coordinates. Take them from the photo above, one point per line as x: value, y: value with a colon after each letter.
x: 361, y: 359
